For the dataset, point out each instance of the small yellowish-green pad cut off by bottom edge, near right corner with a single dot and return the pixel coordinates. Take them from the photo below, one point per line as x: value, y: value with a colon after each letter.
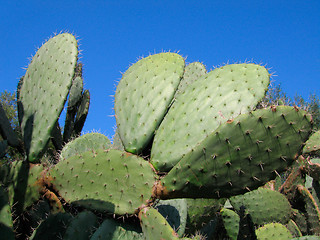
x: 273, y: 231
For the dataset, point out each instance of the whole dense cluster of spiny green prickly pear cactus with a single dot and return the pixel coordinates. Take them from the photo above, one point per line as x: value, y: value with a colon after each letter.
x: 192, y: 157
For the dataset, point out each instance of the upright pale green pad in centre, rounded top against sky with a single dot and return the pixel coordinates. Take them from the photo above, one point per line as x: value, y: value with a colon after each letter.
x: 143, y: 96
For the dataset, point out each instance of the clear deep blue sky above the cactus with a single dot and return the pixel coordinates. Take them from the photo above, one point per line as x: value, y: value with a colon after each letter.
x: 285, y: 35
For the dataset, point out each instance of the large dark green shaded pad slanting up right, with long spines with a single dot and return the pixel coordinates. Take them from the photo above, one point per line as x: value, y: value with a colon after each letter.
x: 240, y: 155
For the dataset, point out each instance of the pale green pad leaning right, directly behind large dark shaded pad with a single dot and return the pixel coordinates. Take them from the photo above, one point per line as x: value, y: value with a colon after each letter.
x: 210, y: 101
